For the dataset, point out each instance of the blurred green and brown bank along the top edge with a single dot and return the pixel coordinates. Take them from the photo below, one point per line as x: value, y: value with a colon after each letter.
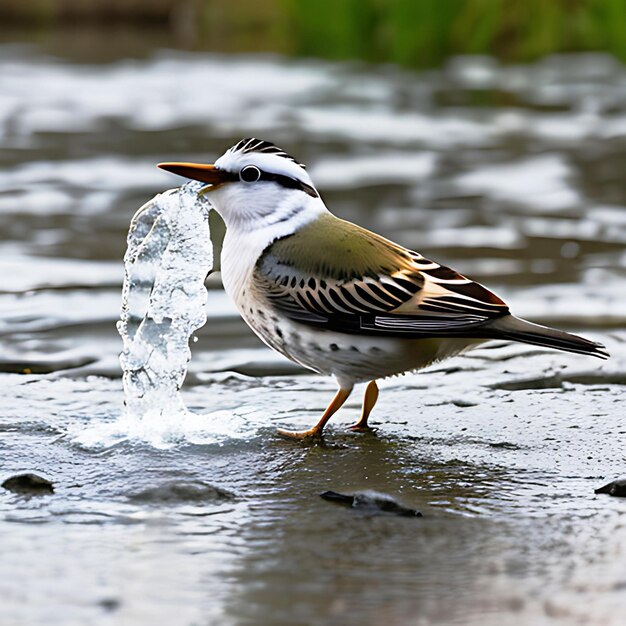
x: 416, y: 33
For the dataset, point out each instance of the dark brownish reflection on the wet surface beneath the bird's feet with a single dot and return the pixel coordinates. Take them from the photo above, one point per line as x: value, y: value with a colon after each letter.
x: 347, y: 567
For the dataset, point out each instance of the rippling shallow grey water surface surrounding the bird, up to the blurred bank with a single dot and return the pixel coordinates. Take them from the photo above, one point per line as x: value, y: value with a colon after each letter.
x: 513, y: 175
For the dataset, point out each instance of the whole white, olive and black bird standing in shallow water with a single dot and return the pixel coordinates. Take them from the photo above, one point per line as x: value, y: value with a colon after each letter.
x: 336, y: 298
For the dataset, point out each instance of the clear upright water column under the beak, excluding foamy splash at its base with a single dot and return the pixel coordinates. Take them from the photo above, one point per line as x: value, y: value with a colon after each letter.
x: 163, y: 299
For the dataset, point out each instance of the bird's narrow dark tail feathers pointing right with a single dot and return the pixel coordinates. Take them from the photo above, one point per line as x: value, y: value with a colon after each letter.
x: 515, y: 329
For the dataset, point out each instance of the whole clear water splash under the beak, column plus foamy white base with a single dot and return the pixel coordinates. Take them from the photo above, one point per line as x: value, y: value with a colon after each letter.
x: 164, y: 301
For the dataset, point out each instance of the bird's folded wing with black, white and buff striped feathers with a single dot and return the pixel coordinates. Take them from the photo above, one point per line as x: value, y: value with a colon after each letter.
x: 422, y: 298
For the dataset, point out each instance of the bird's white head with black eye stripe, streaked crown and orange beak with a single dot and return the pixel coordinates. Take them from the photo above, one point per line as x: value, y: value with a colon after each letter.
x: 253, y: 183
